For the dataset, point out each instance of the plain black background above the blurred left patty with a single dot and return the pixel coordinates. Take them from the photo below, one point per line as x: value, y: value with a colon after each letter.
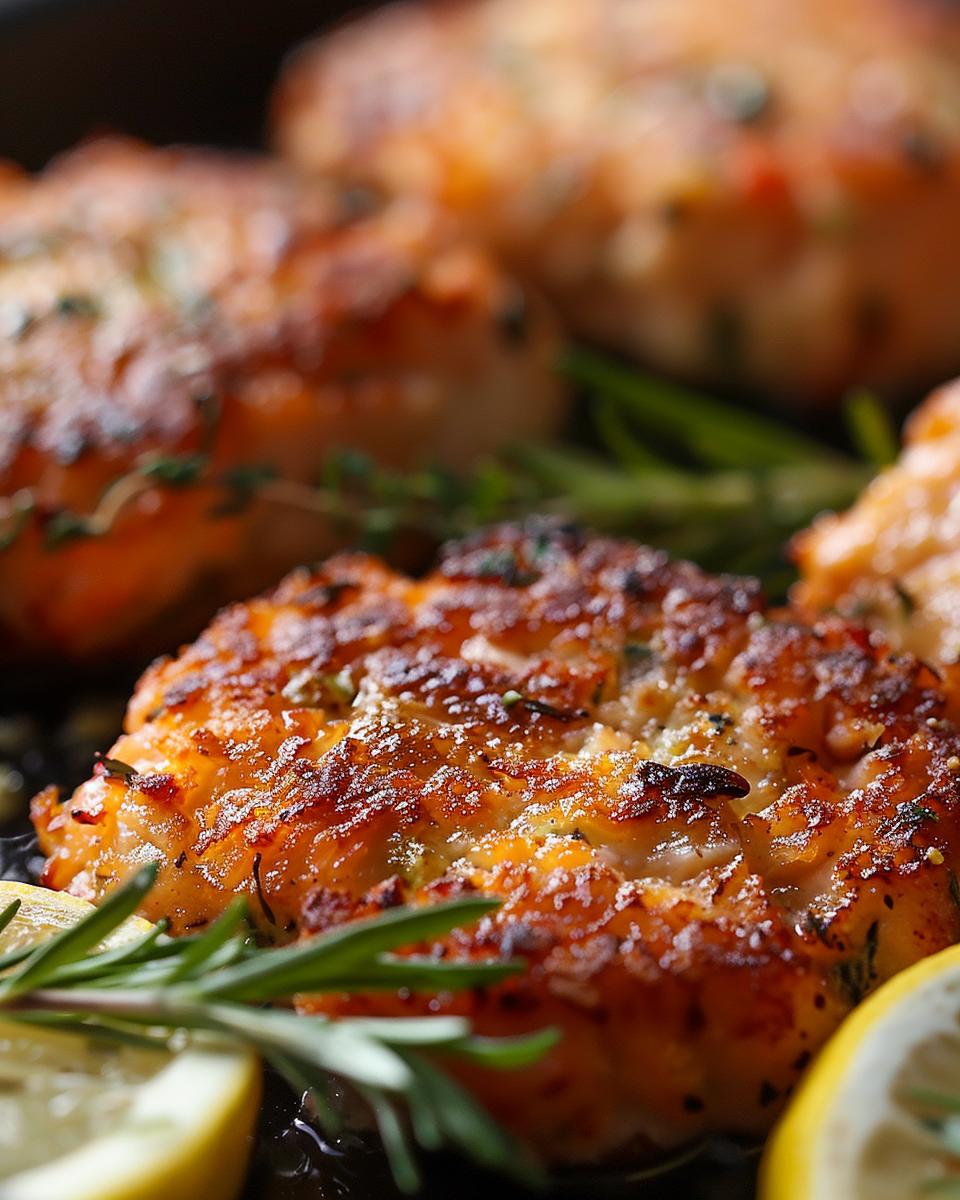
x: 164, y: 70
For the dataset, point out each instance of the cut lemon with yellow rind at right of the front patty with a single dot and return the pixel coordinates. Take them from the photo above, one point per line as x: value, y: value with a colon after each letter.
x: 860, y: 1129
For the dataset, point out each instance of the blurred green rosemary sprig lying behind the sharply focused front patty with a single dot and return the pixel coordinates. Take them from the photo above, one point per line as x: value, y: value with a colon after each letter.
x: 703, y: 478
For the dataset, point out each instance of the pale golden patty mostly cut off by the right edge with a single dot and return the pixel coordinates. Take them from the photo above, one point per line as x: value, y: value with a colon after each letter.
x: 895, y: 559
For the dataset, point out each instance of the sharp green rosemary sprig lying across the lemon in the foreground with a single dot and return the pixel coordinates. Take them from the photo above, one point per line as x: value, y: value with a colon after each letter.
x: 217, y: 985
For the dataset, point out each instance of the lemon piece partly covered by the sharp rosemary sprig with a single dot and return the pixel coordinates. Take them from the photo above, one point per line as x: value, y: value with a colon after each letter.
x: 85, y: 1119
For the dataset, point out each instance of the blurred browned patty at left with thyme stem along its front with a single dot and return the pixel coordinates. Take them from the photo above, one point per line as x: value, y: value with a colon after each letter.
x: 158, y: 305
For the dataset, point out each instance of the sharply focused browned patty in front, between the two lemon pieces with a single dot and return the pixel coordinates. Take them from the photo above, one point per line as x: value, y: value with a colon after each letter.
x: 715, y: 827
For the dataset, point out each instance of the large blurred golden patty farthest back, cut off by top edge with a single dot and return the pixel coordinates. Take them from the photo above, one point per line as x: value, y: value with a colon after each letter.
x: 748, y: 193
